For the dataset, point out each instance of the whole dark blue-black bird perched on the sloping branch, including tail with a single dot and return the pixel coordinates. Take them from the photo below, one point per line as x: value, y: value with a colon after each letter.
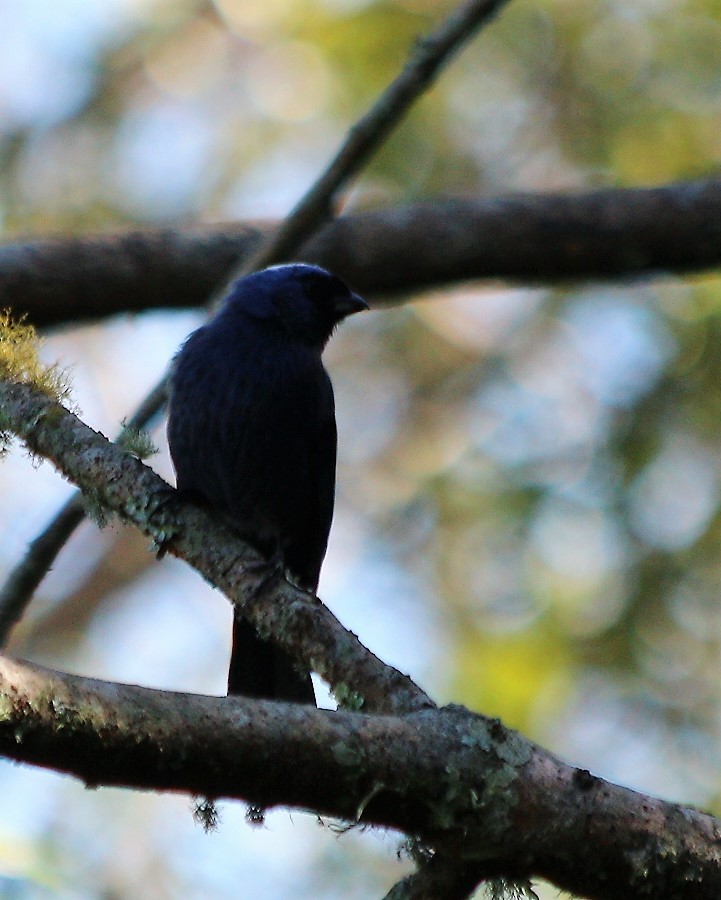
x: 252, y: 435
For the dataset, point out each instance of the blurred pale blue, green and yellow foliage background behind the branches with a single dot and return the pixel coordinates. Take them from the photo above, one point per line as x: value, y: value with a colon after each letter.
x: 529, y: 478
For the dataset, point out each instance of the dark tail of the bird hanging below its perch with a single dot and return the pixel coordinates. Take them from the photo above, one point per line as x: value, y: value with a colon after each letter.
x: 262, y: 670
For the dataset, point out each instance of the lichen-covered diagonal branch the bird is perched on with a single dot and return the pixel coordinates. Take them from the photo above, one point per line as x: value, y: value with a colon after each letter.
x: 112, y: 479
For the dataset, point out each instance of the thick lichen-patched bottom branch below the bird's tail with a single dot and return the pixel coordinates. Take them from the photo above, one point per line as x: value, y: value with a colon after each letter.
x: 461, y: 783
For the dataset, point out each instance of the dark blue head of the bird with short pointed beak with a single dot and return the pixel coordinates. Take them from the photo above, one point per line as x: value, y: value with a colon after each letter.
x: 307, y: 301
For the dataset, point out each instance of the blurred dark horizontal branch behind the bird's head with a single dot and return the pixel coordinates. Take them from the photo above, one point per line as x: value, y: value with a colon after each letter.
x: 610, y: 233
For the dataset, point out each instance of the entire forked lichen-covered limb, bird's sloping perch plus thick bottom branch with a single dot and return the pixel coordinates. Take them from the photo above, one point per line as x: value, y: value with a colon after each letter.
x: 471, y: 789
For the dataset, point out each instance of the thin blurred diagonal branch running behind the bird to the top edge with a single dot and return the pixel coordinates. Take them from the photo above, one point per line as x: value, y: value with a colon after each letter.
x: 363, y: 139
